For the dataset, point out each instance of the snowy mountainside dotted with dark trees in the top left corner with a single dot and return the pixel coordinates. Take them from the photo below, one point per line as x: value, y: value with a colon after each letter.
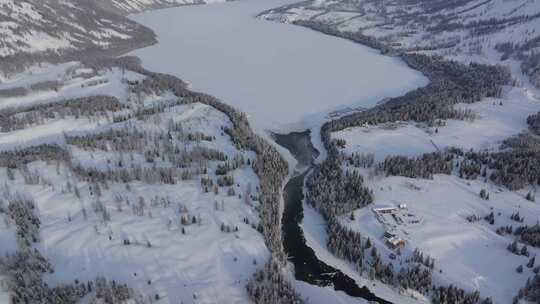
x: 32, y: 31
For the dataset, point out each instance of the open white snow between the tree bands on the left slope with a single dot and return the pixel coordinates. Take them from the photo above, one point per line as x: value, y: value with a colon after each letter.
x: 180, y: 262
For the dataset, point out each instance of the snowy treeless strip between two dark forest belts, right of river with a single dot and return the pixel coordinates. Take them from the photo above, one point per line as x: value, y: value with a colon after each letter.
x: 495, y: 123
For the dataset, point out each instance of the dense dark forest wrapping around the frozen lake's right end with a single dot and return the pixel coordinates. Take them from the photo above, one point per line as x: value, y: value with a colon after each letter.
x: 450, y: 83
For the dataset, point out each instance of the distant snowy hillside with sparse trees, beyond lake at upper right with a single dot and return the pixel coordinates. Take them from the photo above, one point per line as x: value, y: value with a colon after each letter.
x: 485, y: 31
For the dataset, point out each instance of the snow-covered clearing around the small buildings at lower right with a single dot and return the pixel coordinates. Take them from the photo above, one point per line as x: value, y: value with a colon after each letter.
x: 470, y: 255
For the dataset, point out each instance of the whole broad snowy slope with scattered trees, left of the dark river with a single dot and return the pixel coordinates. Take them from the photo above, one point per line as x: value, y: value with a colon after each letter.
x: 137, y: 187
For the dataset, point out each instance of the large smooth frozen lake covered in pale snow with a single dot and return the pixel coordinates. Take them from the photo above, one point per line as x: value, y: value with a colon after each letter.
x: 283, y: 76
